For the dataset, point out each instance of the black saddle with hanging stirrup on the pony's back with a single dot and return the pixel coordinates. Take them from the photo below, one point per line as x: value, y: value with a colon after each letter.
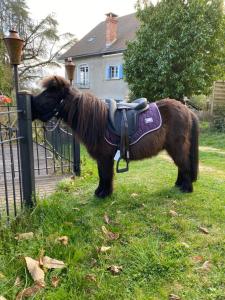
x: 122, y: 121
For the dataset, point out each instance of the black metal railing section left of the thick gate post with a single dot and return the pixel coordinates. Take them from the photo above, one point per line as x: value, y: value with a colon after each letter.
x: 11, y: 193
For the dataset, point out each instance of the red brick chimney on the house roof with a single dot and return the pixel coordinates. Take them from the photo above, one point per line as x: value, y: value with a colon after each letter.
x: 111, y: 28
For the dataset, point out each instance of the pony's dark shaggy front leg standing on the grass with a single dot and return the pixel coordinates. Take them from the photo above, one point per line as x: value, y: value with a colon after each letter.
x: 105, y: 172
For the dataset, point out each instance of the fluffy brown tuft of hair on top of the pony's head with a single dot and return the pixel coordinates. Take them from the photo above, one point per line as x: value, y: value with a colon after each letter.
x: 56, y: 83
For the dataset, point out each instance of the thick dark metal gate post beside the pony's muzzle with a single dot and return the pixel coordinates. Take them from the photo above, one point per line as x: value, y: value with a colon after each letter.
x: 26, y: 147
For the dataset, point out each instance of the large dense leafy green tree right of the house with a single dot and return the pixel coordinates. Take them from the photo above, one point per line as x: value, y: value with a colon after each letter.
x: 179, y: 49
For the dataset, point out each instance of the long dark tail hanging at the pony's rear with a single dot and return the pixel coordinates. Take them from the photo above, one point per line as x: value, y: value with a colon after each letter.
x: 194, y: 155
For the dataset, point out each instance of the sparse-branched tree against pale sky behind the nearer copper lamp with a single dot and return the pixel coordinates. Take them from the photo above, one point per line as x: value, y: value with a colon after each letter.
x: 43, y: 44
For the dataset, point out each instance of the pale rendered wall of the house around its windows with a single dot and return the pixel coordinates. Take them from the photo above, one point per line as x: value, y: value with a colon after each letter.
x: 98, y: 83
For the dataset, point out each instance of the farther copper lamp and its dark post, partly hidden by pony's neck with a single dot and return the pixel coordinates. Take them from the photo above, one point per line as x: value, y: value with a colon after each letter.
x: 70, y: 68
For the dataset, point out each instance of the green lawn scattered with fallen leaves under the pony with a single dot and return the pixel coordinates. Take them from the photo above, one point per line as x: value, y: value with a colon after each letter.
x: 160, y: 254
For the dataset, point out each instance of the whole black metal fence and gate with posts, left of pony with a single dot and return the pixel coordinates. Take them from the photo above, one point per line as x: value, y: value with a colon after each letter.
x: 29, y: 151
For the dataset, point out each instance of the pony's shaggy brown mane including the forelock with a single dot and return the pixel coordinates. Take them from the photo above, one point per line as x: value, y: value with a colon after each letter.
x: 85, y: 113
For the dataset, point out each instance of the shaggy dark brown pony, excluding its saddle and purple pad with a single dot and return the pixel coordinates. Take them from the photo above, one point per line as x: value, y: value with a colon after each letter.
x: 87, y: 116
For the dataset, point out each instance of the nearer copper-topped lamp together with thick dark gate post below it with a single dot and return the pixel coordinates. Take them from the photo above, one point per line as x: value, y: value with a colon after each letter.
x: 14, y: 45
